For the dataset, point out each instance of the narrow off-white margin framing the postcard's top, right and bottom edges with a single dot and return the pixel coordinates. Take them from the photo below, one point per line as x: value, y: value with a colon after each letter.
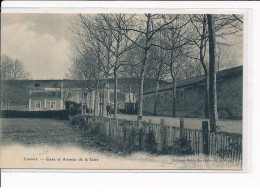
x: 246, y: 133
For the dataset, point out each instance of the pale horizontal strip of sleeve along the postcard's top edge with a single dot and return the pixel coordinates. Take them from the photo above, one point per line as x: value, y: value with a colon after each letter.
x: 123, y: 9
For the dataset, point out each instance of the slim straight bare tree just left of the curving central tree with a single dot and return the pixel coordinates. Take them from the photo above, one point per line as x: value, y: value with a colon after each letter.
x: 102, y: 27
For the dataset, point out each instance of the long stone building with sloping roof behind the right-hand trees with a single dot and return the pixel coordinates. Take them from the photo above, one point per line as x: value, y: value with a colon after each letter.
x: 190, y: 96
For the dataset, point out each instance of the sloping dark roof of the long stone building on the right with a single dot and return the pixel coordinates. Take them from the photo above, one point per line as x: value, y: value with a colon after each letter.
x: 227, y: 73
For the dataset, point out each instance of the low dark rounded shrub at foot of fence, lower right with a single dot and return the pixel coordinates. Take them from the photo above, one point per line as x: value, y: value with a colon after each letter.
x: 180, y: 146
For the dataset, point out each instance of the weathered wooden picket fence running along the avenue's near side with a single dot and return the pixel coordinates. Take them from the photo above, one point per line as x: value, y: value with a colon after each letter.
x: 202, y: 141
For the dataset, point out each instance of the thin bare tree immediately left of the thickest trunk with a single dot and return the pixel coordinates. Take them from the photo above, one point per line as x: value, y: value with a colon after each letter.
x: 226, y: 28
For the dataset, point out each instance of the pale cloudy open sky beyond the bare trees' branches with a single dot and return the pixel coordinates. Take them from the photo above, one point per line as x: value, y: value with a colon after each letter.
x: 42, y: 42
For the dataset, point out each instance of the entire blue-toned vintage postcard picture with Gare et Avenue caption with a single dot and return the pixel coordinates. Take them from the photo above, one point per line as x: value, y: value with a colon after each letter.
x: 122, y: 91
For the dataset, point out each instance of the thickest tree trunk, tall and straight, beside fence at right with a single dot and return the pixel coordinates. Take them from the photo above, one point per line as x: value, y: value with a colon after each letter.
x: 213, y: 116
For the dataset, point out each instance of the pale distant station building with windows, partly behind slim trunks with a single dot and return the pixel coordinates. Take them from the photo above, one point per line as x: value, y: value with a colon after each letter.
x: 43, y: 98
